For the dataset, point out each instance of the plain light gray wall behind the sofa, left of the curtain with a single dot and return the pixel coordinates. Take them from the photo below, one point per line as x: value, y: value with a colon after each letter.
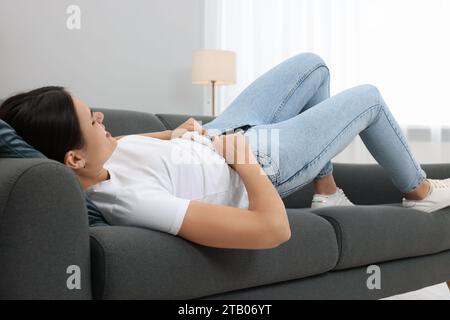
x: 128, y: 54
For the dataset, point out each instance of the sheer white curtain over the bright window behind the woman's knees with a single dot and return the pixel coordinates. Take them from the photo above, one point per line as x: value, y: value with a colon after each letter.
x: 401, y: 46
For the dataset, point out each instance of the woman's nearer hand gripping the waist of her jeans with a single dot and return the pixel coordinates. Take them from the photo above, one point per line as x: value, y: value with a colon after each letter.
x: 234, y: 148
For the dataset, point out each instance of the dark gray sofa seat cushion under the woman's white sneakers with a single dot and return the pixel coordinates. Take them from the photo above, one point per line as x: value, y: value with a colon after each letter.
x: 369, y: 234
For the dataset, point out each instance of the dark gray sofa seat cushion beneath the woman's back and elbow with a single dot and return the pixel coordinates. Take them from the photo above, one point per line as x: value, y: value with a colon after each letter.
x: 135, y: 263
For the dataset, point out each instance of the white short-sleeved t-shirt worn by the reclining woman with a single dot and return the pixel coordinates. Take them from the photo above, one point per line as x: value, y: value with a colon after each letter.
x: 152, y: 182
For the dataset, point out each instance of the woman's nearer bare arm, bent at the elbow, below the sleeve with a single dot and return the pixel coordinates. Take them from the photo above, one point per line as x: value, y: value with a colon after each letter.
x: 263, y: 225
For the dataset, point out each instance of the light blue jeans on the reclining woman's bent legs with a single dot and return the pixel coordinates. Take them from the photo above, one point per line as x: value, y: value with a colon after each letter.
x: 293, y: 100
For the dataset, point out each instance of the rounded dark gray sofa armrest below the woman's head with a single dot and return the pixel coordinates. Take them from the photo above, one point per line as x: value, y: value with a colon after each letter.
x: 43, y: 231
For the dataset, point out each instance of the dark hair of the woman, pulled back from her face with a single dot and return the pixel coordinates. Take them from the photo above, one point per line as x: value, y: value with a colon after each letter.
x: 46, y: 119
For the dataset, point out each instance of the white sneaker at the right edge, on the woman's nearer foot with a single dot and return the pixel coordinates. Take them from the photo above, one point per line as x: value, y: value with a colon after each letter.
x: 437, y: 199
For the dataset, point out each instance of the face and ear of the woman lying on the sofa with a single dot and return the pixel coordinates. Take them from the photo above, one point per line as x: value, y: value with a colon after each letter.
x: 99, y: 144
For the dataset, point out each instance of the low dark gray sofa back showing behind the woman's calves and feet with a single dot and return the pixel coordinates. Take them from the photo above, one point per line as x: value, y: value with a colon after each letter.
x: 364, y: 184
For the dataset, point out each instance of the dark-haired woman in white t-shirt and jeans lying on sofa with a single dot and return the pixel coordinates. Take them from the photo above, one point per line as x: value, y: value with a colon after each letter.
x: 227, y: 194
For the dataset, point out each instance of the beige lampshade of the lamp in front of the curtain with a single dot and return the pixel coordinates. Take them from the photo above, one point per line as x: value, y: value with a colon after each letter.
x: 214, y: 65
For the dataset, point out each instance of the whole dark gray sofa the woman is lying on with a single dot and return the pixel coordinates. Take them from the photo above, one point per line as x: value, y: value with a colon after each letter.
x: 44, y: 230
